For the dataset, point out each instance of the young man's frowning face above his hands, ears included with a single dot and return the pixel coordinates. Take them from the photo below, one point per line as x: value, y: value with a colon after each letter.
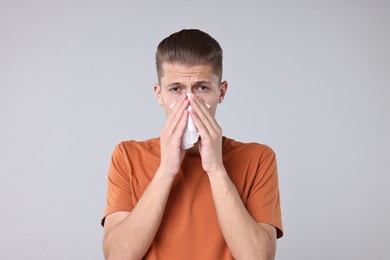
x: 199, y: 80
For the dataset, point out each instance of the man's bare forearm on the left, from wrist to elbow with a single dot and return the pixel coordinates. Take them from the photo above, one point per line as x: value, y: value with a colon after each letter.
x: 132, y: 237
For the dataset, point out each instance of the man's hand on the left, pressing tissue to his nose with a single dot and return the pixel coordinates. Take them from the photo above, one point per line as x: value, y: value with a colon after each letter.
x: 170, y: 139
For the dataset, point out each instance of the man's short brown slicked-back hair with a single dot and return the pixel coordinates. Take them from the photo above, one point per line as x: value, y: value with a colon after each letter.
x: 189, y: 47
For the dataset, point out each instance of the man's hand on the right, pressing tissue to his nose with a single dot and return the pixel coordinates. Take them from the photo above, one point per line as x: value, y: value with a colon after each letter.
x: 210, y: 143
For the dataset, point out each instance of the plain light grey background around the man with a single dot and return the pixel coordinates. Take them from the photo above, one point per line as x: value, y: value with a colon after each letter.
x: 309, y: 78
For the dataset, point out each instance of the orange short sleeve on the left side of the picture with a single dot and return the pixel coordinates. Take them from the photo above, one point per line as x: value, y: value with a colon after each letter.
x: 118, y: 184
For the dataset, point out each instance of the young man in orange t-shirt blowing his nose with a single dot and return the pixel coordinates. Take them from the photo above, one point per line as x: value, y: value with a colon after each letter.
x: 216, y: 200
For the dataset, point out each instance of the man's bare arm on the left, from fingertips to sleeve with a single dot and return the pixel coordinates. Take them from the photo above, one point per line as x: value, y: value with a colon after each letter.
x: 128, y: 235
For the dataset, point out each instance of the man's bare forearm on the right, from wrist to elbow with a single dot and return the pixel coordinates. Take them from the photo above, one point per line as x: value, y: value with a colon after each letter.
x: 245, y: 238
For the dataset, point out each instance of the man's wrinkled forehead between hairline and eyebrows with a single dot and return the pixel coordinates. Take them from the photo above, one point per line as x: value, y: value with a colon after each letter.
x: 180, y: 72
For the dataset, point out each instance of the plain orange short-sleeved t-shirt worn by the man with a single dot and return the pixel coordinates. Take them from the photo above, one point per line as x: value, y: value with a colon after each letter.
x: 189, y: 227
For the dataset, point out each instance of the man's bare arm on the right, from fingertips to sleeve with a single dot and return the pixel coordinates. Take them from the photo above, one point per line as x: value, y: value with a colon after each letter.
x: 246, y: 238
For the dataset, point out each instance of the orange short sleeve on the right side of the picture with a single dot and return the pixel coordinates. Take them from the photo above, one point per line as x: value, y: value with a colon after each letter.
x: 264, y: 201
